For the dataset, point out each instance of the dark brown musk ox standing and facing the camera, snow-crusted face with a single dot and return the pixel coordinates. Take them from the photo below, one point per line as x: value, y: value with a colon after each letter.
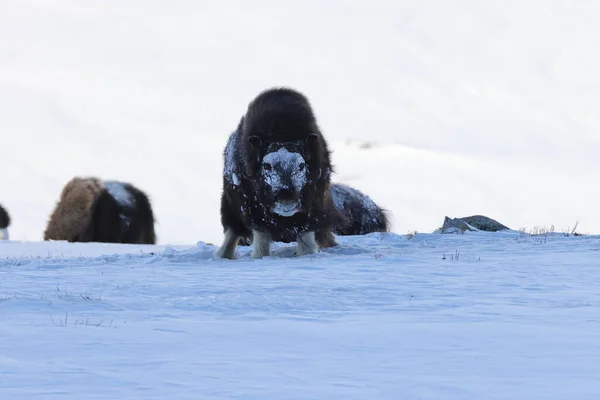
x: 276, y: 178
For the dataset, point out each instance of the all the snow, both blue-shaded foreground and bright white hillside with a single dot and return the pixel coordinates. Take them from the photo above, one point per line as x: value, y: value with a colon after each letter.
x: 432, y: 108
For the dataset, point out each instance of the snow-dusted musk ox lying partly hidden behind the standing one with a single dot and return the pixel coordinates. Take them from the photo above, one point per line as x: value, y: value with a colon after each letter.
x: 363, y: 214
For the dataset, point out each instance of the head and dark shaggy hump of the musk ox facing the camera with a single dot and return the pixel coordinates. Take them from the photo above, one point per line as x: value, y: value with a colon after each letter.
x: 285, y: 153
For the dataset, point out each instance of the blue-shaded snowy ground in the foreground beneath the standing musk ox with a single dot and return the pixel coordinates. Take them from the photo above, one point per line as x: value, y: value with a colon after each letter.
x: 475, y: 316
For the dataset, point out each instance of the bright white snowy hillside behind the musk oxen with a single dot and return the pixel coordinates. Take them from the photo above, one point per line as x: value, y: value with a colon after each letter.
x: 470, y: 107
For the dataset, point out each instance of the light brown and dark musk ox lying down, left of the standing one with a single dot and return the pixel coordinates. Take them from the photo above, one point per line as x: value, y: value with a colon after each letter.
x: 93, y: 210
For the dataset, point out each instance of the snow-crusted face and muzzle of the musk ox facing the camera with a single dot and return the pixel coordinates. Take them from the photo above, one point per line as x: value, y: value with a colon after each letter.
x: 284, y: 175
